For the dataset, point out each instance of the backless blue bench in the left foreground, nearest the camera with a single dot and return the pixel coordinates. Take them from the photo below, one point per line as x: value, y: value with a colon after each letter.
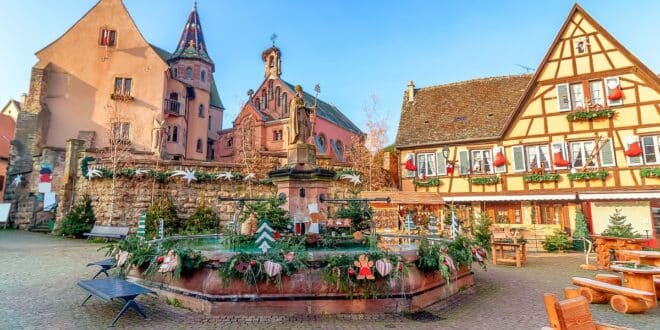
x: 113, y: 288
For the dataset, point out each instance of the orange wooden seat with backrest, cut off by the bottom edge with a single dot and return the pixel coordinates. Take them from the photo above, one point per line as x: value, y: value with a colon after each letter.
x: 571, y: 314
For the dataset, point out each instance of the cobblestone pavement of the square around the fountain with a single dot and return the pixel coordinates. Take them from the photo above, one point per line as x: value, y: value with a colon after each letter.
x: 38, y: 274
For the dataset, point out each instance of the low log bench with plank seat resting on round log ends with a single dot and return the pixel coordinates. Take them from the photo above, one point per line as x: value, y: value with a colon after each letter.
x: 623, y: 300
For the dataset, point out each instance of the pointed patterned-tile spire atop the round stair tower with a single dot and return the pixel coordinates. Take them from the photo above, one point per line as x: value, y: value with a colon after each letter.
x: 192, y: 44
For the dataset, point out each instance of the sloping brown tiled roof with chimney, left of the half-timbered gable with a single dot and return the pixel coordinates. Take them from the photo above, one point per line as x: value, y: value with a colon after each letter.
x: 463, y: 111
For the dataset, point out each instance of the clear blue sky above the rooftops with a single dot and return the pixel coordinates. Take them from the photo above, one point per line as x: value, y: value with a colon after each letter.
x: 354, y: 49
